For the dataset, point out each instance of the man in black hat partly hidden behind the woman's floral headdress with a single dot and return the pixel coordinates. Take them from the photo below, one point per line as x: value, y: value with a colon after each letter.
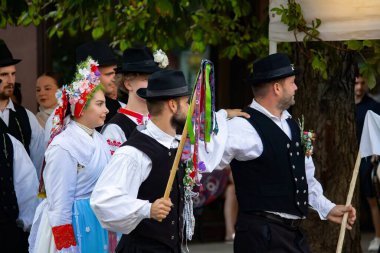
x: 103, y: 54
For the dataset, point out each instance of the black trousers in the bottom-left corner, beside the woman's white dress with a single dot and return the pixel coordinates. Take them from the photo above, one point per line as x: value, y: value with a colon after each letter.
x: 13, y: 238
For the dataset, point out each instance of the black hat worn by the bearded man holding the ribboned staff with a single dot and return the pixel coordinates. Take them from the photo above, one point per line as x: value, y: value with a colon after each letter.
x: 165, y: 84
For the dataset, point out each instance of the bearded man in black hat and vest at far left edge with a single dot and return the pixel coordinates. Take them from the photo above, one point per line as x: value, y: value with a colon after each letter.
x: 17, y: 120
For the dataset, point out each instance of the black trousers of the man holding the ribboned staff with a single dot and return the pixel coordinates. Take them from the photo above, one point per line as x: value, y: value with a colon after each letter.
x: 138, y: 244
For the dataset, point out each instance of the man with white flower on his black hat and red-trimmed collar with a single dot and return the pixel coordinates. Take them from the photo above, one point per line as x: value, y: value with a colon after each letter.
x: 138, y: 64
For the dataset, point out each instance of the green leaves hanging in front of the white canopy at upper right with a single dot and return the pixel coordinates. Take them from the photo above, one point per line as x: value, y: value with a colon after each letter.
x: 322, y: 58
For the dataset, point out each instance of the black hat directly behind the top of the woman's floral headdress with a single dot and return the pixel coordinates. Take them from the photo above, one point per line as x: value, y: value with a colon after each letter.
x: 100, y: 51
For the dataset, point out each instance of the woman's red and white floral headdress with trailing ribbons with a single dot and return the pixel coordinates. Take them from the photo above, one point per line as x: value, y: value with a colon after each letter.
x: 77, y: 94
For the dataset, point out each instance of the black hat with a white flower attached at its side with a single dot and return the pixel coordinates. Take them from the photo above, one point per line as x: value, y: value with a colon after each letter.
x: 138, y: 60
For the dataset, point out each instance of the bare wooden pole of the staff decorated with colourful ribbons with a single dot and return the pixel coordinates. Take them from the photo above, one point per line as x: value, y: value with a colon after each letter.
x: 179, y: 153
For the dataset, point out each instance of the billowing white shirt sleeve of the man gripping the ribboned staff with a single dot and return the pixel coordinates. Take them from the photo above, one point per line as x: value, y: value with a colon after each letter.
x: 114, y: 198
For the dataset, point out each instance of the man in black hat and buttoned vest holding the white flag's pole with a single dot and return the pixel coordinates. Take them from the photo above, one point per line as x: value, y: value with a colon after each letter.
x: 274, y: 176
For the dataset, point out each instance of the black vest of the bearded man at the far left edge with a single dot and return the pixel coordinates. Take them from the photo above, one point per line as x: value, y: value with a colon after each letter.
x: 19, y: 126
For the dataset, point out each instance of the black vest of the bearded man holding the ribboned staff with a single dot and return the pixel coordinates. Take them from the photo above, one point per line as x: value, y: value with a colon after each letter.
x: 169, y: 231
